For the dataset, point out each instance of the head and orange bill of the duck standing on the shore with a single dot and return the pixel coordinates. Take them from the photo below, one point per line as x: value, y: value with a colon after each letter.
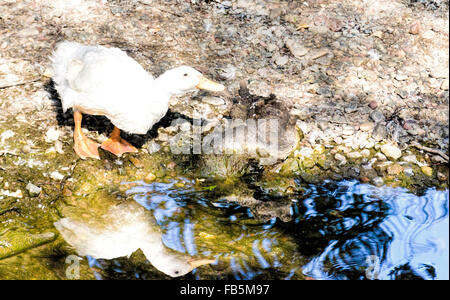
x: 185, y: 79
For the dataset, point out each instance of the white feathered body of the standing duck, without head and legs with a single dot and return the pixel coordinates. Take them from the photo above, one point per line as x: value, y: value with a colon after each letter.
x: 105, y: 81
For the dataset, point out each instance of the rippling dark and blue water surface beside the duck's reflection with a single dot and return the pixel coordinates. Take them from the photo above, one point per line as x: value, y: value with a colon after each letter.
x: 337, y: 230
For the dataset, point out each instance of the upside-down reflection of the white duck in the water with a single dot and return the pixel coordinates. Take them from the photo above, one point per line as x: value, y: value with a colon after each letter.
x: 120, y: 232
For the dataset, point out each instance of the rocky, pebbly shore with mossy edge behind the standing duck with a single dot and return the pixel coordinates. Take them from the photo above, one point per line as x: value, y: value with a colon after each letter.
x: 359, y: 90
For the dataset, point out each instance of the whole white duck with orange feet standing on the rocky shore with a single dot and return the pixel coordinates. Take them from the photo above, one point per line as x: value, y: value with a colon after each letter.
x: 105, y: 81
